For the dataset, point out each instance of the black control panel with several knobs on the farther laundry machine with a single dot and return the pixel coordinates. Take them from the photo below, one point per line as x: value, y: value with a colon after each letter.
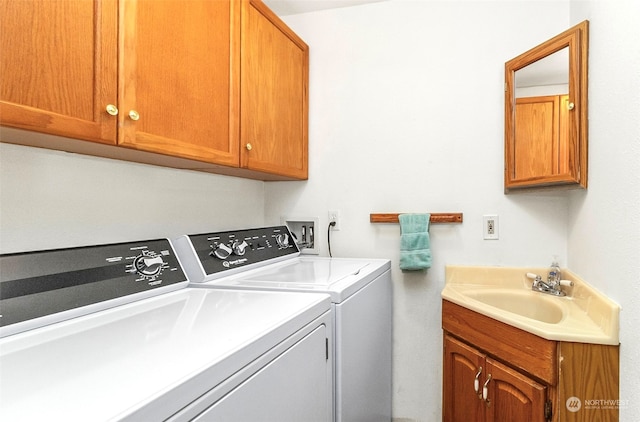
x: 218, y: 252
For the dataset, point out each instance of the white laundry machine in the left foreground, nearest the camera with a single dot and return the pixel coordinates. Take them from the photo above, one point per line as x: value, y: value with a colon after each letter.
x: 112, y: 332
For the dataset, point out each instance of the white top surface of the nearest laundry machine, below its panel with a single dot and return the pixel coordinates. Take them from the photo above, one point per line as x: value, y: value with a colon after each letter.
x: 148, y: 358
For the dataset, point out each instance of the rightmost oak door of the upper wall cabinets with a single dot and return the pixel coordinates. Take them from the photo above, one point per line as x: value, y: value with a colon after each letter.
x: 274, y: 103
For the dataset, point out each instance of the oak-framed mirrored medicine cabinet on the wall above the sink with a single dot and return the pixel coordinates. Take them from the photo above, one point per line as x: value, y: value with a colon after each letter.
x: 546, y: 113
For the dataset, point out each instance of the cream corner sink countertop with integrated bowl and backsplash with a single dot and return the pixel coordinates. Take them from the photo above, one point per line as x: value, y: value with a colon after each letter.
x: 584, y: 315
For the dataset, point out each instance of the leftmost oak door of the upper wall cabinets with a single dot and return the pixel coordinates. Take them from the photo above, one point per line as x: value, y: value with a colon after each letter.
x: 58, y: 67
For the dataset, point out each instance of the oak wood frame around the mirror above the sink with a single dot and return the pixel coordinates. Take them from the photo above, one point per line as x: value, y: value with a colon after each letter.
x: 575, y: 162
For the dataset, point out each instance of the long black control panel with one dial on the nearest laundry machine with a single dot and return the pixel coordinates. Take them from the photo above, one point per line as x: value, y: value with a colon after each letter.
x: 44, y: 283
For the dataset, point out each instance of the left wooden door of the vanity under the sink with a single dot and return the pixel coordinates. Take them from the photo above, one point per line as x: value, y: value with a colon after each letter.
x: 463, y: 365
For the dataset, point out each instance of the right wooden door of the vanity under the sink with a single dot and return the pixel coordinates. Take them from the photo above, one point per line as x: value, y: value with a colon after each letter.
x: 513, y: 396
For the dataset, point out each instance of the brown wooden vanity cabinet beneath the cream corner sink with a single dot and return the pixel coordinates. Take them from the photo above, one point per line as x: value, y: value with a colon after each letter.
x: 496, y: 372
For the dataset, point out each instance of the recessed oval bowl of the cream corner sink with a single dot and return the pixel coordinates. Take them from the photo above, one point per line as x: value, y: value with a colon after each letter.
x: 527, y: 304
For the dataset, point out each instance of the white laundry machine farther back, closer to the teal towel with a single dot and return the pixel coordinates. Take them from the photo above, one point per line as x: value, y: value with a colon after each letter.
x: 266, y: 259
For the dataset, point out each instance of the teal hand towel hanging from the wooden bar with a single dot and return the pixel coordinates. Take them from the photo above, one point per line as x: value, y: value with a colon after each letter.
x: 415, y: 246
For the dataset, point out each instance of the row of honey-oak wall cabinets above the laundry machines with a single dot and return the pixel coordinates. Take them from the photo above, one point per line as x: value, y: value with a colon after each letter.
x: 217, y: 86
